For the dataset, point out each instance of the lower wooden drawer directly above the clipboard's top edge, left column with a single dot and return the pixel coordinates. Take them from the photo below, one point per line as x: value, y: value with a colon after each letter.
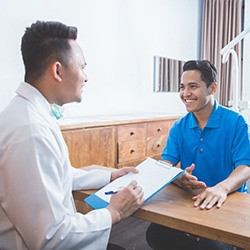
x: 131, y: 150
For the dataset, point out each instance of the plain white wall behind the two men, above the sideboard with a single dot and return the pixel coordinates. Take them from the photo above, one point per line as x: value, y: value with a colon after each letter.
x: 119, y: 39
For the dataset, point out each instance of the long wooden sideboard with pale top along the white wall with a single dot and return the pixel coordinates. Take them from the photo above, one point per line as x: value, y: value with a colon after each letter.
x: 116, y: 142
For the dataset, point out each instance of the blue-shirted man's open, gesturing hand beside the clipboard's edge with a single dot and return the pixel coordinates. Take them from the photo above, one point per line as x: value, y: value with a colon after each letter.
x: 189, y: 181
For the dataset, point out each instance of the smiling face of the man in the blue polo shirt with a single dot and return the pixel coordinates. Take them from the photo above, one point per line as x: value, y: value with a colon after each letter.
x: 194, y: 92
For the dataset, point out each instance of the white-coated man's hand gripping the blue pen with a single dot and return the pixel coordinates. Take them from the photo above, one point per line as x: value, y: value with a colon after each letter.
x: 125, y: 202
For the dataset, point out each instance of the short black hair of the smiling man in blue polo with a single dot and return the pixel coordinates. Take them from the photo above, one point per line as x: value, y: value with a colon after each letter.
x: 207, y: 69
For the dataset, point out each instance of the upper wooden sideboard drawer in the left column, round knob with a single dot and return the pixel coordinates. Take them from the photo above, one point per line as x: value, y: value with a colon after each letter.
x: 131, y: 132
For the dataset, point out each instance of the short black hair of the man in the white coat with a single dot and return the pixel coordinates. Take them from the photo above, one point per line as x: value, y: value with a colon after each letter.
x: 43, y: 43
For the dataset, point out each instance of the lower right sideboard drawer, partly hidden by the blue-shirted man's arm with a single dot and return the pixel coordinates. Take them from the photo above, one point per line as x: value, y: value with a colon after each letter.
x: 156, y: 145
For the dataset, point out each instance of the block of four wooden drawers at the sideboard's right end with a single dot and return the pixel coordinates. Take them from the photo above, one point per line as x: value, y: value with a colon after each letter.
x: 137, y: 141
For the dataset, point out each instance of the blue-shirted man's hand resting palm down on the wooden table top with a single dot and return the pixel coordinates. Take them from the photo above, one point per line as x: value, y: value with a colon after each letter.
x: 210, y: 197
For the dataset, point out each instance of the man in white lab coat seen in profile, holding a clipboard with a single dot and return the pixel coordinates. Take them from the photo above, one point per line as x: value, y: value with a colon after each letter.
x: 36, y: 178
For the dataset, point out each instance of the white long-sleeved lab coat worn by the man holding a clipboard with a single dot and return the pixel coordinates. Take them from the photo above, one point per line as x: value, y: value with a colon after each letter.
x: 36, y: 181
